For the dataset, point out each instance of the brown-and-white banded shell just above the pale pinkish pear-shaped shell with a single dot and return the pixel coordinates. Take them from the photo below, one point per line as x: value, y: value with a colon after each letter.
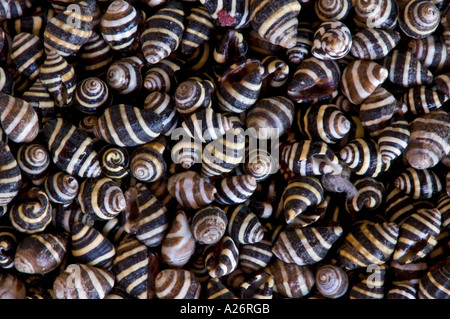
x: 191, y: 190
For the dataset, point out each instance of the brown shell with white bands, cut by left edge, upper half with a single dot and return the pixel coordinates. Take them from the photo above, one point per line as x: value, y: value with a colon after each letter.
x: 19, y: 120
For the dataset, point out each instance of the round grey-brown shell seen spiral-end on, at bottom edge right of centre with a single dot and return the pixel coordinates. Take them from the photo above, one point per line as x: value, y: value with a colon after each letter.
x: 331, y: 281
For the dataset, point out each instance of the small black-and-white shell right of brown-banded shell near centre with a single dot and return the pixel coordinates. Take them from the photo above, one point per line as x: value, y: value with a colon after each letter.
x: 235, y: 189
